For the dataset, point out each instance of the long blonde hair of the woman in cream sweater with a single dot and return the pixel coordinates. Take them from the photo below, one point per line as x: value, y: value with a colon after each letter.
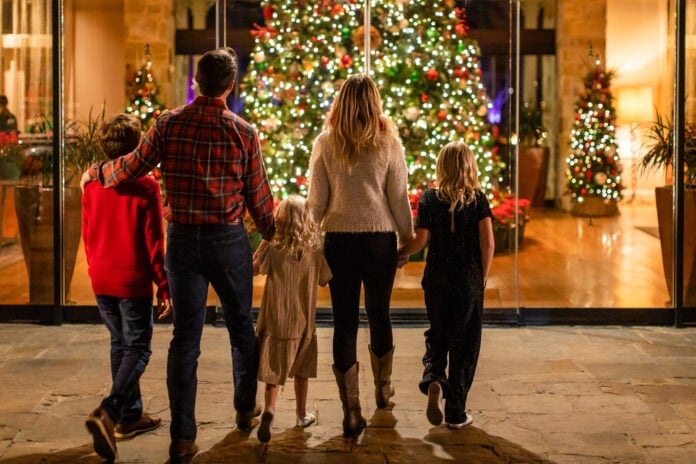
x: 356, y: 120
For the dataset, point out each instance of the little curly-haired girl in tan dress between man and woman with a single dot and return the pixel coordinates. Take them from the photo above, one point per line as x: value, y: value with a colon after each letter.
x: 294, y: 264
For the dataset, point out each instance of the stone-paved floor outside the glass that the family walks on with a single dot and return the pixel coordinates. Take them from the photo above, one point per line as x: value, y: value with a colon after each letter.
x: 542, y: 394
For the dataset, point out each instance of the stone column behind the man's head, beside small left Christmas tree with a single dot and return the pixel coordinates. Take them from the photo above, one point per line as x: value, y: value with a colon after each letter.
x: 151, y: 22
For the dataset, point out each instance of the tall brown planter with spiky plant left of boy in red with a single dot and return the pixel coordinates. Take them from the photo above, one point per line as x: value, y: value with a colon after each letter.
x: 34, y: 200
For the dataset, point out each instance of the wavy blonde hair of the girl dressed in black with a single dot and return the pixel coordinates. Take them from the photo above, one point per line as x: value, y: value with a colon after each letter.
x: 457, y: 175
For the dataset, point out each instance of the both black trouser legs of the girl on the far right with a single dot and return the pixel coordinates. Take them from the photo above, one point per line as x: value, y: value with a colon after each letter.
x: 455, y: 314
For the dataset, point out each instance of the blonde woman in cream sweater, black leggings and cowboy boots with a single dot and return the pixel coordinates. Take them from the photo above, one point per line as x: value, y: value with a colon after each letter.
x: 358, y: 193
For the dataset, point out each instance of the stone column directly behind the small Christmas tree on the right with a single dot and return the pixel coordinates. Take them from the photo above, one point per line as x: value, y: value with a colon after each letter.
x: 579, y: 26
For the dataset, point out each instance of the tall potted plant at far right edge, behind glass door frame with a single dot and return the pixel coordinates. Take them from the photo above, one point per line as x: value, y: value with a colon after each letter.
x: 659, y: 154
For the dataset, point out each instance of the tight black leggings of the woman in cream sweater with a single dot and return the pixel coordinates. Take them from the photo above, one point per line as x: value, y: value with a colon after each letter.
x: 358, y: 259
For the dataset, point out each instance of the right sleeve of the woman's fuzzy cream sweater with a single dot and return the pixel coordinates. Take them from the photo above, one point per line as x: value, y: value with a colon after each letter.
x: 397, y: 192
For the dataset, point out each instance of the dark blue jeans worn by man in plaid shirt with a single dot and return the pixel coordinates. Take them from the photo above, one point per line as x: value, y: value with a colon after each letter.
x: 218, y: 255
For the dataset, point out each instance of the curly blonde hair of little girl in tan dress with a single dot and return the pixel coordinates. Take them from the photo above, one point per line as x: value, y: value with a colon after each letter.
x: 295, y: 226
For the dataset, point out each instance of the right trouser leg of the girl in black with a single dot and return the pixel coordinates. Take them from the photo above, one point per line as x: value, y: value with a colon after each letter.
x: 464, y: 340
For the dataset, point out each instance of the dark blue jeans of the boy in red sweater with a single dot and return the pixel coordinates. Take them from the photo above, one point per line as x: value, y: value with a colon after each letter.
x: 129, y: 321
